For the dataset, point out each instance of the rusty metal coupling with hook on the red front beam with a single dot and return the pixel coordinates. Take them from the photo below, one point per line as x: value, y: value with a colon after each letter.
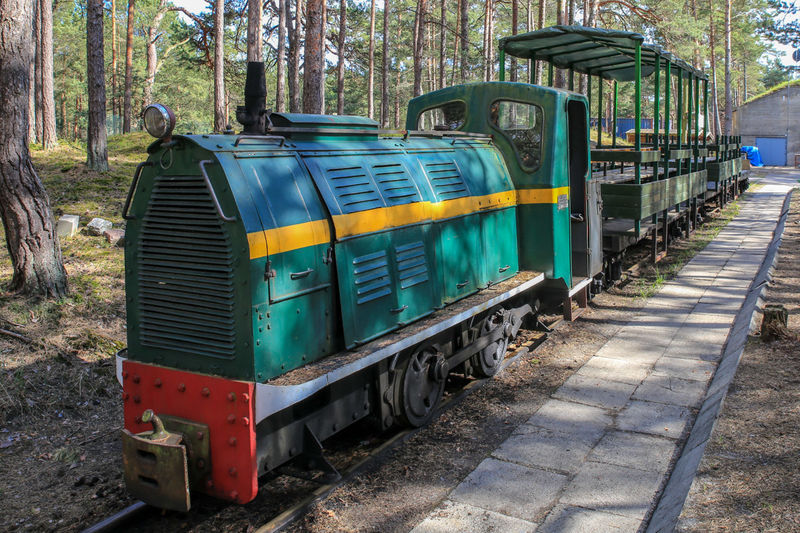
x: 162, y: 465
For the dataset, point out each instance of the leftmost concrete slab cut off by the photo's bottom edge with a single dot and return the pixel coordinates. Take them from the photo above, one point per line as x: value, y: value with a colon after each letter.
x: 451, y: 516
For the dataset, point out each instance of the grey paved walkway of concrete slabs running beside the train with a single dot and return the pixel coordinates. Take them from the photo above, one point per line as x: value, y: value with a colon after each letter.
x: 598, y: 454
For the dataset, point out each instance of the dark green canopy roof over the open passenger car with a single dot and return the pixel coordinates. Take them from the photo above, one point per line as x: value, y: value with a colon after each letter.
x: 610, y: 54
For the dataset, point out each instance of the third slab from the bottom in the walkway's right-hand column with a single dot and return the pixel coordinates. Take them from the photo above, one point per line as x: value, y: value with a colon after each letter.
x: 634, y: 450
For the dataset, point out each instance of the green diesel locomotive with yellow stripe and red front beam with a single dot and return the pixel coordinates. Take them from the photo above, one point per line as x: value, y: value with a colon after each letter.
x: 311, y: 271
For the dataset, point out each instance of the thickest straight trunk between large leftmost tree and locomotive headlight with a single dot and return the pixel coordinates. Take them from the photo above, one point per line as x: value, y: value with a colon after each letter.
x: 96, y: 146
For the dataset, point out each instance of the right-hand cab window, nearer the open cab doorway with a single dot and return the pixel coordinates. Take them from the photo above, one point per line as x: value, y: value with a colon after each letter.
x: 522, y: 124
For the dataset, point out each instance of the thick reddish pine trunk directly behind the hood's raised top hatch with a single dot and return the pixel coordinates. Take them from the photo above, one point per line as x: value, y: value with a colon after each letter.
x: 313, y: 72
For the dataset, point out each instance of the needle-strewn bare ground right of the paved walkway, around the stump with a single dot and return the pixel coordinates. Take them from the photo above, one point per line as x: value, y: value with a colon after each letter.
x: 749, y: 478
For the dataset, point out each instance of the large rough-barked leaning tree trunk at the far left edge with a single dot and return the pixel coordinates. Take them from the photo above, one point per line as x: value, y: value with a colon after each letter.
x: 24, y: 206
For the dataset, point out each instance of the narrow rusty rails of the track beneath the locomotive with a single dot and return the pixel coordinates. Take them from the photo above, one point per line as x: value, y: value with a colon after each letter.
x: 294, y: 512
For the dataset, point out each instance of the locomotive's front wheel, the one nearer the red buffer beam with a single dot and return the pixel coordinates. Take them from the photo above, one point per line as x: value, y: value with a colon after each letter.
x: 421, y: 386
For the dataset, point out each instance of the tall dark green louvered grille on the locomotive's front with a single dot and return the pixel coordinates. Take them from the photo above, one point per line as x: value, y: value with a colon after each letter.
x: 186, y: 295
